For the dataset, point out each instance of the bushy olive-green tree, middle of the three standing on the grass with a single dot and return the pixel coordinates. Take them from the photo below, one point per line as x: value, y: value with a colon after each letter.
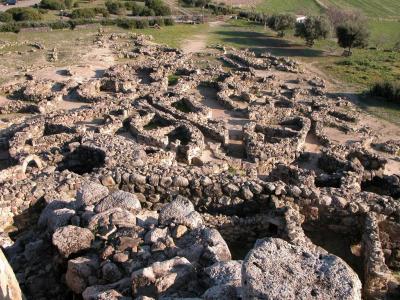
x: 313, y: 28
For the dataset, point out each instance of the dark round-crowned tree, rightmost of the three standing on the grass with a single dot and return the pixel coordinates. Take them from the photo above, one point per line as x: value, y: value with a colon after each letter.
x: 352, y: 35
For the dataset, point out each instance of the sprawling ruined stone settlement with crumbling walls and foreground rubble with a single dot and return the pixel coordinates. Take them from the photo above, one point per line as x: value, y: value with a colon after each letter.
x: 204, y: 188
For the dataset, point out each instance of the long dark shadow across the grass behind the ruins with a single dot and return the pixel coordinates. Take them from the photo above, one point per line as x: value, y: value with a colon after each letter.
x: 260, y: 42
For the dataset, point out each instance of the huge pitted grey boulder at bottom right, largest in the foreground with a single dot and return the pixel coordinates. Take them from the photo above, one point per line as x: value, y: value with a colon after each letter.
x: 275, y: 269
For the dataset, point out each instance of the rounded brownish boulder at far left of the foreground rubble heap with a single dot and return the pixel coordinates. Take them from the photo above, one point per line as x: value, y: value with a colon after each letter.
x: 72, y: 239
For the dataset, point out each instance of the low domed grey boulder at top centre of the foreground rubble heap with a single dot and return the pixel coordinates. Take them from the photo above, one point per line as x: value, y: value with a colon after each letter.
x: 120, y: 199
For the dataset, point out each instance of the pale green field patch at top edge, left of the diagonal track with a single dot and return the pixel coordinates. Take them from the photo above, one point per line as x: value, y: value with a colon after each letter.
x: 292, y: 6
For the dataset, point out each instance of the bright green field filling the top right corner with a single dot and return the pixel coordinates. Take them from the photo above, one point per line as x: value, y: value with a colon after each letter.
x: 373, y: 8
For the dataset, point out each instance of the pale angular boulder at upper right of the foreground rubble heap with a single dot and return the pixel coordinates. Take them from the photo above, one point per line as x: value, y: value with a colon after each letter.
x: 180, y: 211
